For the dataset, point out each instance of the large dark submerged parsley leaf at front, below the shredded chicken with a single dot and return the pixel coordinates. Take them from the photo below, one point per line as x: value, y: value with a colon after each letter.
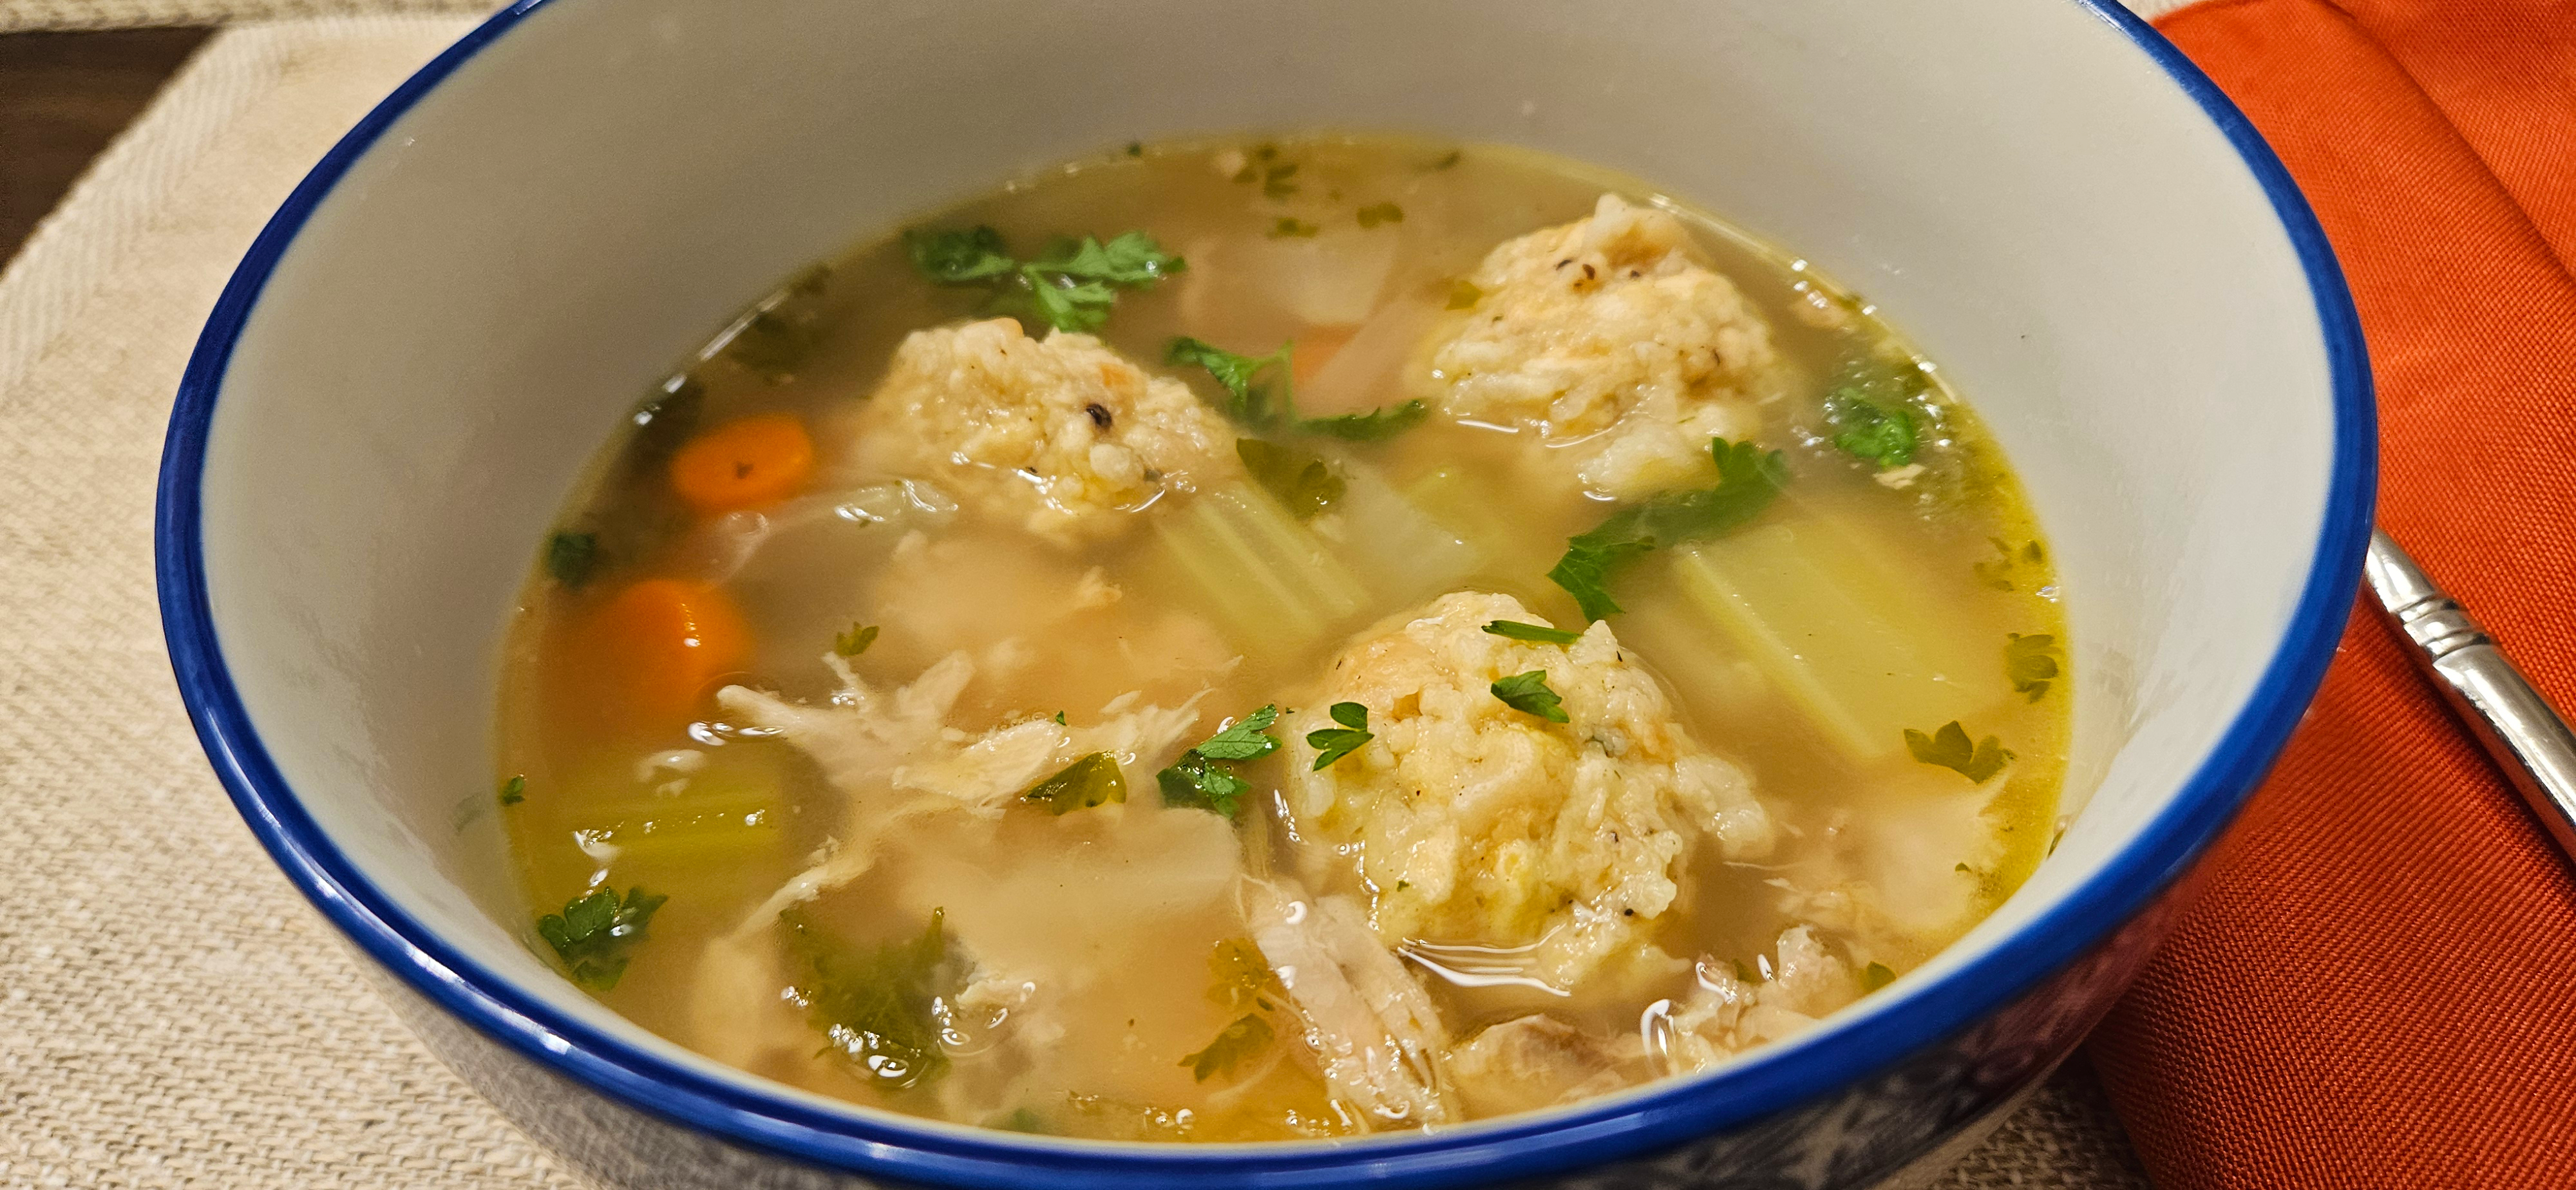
x: 877, y: 1008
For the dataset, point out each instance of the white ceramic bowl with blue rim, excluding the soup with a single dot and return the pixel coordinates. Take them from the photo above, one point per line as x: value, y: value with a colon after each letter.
x: 465, y: 297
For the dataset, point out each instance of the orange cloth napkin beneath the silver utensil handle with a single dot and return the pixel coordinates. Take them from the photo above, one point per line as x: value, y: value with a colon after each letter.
x: 2376, y: 985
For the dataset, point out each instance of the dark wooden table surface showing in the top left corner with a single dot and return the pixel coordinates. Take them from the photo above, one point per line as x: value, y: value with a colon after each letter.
x: 66, y: 97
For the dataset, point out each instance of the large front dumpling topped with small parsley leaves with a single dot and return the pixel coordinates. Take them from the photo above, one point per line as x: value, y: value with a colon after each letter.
x: 1488, y: 826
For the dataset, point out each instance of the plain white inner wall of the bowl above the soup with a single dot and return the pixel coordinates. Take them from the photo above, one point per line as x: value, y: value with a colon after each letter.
x: 581, y: 202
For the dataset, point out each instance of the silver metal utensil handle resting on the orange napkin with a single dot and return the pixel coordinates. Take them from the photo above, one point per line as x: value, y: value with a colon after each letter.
x: 2528, y: 741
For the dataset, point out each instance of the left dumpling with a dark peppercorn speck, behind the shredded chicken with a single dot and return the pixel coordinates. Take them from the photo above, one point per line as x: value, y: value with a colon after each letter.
x: 1063, y: 437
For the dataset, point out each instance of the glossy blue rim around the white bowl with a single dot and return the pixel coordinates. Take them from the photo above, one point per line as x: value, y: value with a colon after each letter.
x: 1627, y: 1127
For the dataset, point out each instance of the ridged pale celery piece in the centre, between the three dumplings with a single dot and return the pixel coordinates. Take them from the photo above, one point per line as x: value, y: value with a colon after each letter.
x: 1266, y: 576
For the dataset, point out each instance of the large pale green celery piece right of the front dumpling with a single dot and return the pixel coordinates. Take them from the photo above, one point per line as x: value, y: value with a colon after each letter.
x: 1841, y: 632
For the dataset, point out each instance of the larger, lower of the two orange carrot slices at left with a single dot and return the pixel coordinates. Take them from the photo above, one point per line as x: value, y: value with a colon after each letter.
x: 658, y: 648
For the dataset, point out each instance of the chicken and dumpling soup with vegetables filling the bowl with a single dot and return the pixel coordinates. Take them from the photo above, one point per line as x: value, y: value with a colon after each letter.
x: 1276, y: 640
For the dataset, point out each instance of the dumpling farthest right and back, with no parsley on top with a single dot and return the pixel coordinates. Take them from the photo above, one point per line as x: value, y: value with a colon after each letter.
x: 1614, y: 344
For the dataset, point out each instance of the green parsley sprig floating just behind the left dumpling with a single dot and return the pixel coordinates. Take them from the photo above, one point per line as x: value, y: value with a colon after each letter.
x: 1070, y: 287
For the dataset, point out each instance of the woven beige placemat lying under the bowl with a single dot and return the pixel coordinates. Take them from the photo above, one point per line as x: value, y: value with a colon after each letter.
x: 171, y: 1011
